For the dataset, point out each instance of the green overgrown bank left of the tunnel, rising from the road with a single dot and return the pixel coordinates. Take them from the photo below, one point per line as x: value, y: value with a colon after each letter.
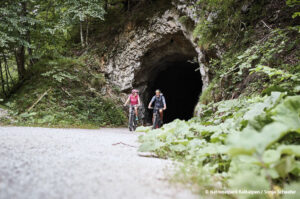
x: 73, y: 98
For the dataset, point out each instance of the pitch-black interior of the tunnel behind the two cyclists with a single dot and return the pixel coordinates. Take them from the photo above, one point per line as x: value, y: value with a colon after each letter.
x: 181, y: 85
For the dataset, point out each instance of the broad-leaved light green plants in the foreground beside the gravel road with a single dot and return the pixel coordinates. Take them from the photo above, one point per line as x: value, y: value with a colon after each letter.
x: 234, y: 139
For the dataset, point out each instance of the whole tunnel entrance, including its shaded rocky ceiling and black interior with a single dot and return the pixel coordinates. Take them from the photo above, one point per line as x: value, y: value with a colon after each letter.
x: 168, y: 66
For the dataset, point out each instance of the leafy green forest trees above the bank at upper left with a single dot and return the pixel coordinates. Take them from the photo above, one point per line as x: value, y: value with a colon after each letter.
x: 31, y: 29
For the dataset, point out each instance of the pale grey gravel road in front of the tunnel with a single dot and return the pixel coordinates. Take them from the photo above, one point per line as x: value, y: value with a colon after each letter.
x: 41, y: 163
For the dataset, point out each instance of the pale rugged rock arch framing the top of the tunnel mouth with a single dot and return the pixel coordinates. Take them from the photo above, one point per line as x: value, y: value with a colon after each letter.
x: 140, y: 51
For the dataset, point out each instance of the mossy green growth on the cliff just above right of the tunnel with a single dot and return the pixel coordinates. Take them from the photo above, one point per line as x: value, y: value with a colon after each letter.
x: 221, y: 22
